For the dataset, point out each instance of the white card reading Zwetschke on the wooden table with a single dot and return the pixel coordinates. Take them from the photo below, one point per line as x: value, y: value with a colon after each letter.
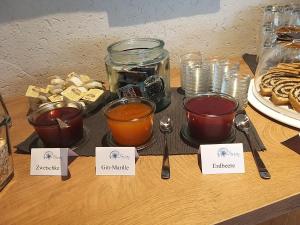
x: 49, y: 161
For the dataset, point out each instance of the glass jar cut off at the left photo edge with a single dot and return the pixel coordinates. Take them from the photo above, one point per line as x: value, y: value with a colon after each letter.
x: 6, y: 162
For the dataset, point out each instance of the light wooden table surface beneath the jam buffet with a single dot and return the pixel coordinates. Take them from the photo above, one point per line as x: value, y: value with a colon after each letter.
x: 189, y: 197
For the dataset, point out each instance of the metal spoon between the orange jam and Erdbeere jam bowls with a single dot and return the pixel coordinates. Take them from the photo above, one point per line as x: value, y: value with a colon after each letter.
x: 165, y: 126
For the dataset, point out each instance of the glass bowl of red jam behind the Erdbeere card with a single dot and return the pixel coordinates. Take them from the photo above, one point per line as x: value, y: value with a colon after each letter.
x: 210, y: 116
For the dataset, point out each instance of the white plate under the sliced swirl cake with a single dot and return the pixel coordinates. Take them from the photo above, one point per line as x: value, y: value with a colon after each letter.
x: 270, y: 111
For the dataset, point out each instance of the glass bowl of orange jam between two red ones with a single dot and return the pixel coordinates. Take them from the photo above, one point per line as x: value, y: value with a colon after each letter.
x: 130, y: 120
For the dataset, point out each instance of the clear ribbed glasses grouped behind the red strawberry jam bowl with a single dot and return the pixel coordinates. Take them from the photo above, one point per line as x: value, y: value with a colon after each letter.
x: 213, y: 75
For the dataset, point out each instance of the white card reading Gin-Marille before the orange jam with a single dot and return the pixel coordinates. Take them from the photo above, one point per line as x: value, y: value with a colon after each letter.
x: 115, y: 161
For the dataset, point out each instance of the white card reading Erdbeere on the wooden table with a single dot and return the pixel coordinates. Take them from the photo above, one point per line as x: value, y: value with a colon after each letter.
x: 222, y: 158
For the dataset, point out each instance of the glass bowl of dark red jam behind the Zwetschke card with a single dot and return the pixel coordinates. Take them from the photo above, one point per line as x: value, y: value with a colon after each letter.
x: 58, y: 124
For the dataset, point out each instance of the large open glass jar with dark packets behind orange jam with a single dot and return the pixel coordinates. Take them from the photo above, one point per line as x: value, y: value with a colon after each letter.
x: 139, y: 67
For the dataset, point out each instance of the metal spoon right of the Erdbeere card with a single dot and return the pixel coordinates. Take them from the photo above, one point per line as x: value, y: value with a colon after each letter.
x: 242, y: 122
